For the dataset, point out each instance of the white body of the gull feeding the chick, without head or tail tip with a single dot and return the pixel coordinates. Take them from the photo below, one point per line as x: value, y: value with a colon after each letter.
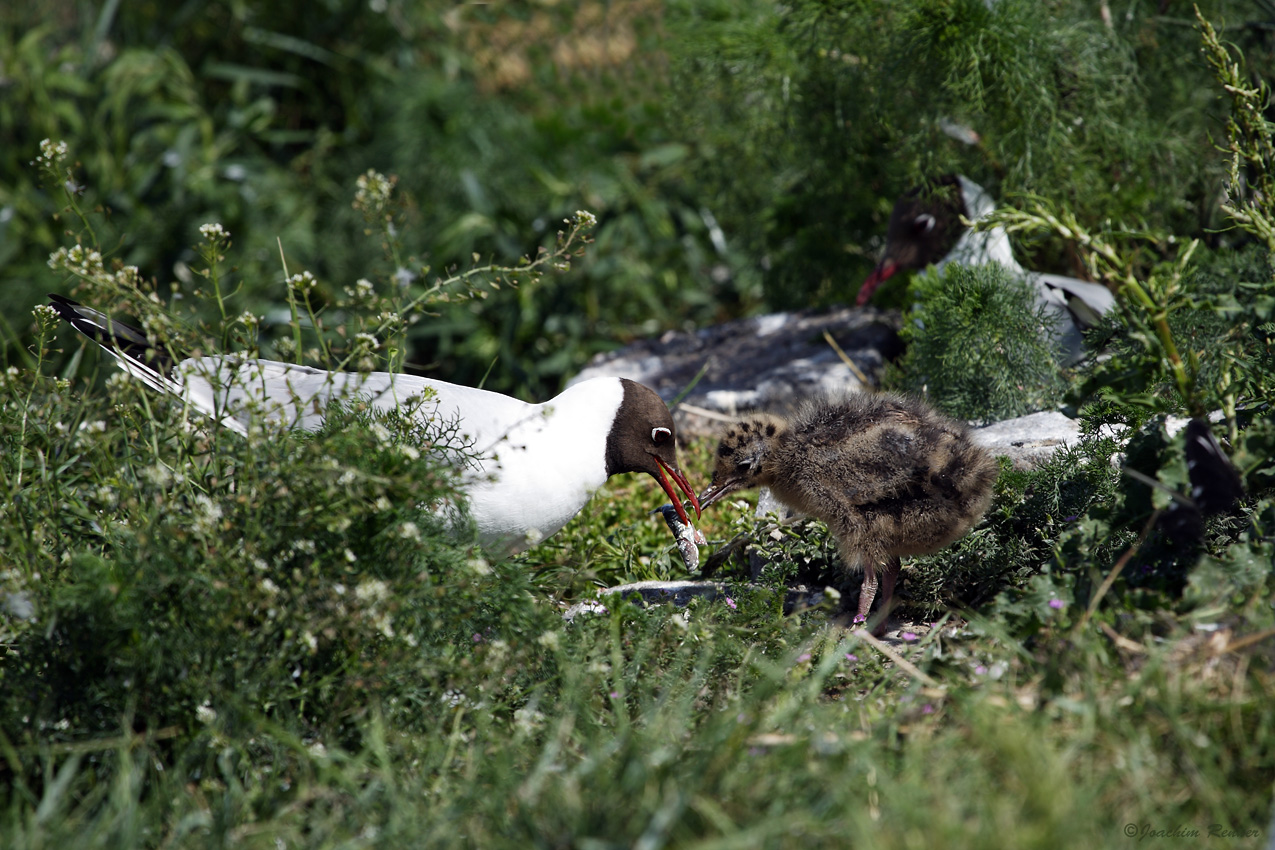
x: 532, y: 467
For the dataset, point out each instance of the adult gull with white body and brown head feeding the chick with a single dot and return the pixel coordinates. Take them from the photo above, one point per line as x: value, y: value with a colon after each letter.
x: 534, y: 466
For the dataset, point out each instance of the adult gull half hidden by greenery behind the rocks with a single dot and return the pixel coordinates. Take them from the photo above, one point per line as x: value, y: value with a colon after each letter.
x: 926, y: 229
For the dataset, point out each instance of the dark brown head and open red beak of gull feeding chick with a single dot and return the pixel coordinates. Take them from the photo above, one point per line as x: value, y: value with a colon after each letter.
x: 645, y: 440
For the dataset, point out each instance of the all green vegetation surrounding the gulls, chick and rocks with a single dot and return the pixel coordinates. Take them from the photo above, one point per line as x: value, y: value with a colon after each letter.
x: 211, y: 642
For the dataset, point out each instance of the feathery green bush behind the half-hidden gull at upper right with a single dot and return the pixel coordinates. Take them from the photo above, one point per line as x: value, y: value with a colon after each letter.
x: 851, y: 104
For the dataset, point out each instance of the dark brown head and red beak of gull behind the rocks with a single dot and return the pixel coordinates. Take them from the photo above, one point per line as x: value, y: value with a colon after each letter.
x: 925, y: 227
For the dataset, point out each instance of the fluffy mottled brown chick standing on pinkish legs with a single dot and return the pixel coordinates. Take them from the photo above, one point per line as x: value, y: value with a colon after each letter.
x: 888, y: 475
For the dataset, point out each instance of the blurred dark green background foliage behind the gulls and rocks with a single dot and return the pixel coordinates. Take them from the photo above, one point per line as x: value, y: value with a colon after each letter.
x: 739, y: 156
